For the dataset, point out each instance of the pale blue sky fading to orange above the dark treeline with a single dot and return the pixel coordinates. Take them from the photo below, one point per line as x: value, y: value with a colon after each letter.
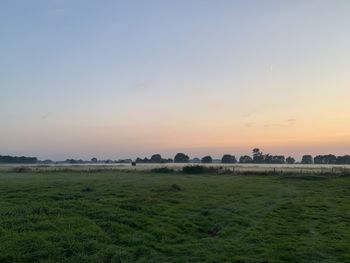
x: 118, y: 79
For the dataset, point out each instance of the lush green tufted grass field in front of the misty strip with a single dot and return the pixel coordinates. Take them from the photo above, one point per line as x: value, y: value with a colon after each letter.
x: 154, y: 217
